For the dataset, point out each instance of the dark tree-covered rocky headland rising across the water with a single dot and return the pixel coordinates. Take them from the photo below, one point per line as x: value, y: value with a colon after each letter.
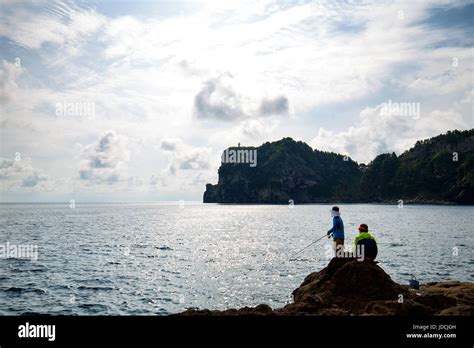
x: 436, y: 170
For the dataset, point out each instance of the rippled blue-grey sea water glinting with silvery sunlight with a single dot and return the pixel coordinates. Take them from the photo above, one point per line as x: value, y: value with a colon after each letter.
x: 157, y: 259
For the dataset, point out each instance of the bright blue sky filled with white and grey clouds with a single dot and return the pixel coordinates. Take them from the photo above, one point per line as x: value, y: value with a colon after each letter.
x: 135, y: 101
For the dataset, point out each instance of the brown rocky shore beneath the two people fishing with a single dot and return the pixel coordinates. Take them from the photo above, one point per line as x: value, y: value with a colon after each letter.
x: 349, y: 287
